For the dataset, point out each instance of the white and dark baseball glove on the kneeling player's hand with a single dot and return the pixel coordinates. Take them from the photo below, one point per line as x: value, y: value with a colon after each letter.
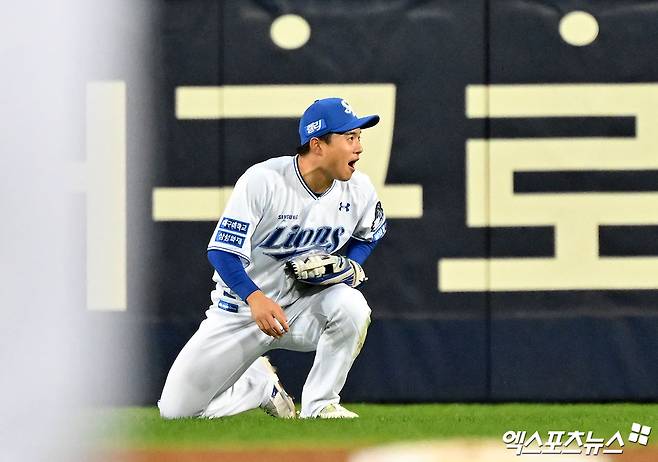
x: 325, y: 269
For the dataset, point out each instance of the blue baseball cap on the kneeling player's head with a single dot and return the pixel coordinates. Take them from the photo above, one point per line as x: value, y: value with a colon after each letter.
x: 331, y: 115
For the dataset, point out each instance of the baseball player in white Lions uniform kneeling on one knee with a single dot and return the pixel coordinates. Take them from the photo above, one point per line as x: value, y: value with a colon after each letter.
x: 281, y: 282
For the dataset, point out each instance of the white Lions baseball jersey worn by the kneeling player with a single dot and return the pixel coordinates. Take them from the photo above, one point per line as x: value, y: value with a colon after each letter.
x: 273, y: 216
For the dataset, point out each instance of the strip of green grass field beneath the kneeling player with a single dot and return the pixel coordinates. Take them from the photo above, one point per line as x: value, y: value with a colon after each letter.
x: 142, y: 427
